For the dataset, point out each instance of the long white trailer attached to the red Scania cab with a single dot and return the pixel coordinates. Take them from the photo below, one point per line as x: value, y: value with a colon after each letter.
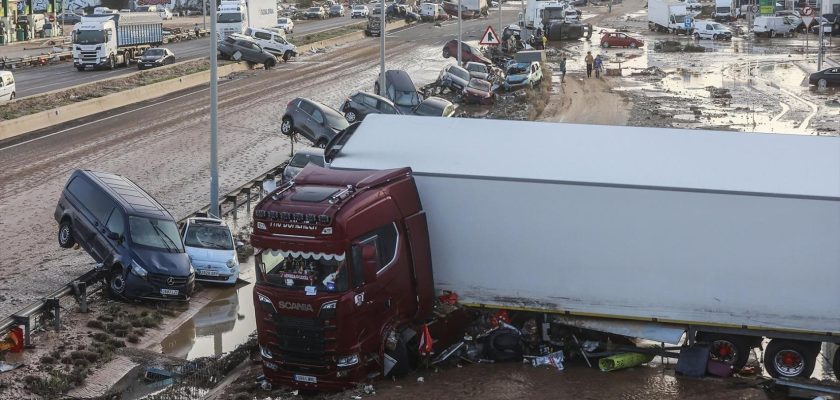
x: 653, y: 233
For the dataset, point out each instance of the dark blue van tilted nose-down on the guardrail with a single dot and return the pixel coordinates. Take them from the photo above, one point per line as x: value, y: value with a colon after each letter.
x: 129, y: 232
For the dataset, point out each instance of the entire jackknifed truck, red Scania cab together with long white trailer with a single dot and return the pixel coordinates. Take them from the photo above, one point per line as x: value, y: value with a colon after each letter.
x: 661, y: 234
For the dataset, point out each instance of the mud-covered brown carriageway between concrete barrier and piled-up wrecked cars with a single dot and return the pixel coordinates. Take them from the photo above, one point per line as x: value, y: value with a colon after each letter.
x: 163, y: 146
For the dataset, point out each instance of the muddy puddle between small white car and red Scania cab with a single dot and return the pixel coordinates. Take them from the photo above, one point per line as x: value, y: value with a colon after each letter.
x: 221, y: 325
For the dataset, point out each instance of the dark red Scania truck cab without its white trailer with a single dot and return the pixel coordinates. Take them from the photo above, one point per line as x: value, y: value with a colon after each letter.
x: 343, y: 271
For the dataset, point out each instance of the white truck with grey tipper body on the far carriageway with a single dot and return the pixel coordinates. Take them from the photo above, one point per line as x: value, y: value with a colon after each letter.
x: 114, y: 39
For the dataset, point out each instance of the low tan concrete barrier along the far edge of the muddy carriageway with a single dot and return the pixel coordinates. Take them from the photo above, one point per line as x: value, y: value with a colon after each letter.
x: 60, y: 115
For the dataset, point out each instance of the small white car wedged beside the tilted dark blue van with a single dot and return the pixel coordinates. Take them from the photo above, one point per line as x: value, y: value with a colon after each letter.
x: 212, y: 251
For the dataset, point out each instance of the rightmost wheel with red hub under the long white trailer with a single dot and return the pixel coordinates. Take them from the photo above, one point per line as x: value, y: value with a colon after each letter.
x: 790, y: 359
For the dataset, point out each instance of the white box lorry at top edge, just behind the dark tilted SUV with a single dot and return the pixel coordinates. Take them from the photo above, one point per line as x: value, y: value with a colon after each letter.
x: 237, y: 16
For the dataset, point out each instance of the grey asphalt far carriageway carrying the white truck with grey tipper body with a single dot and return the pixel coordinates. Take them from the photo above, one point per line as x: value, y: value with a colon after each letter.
x: 58, y: 76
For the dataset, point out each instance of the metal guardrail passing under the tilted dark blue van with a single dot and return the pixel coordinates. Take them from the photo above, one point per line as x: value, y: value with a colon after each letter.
x: 29, y: 317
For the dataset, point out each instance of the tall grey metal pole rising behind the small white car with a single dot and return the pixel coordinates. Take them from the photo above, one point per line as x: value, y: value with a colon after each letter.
x: 214, y: 127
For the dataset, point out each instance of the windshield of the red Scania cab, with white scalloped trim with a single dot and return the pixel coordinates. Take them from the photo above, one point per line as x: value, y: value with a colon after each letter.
x: 302, y: 271
